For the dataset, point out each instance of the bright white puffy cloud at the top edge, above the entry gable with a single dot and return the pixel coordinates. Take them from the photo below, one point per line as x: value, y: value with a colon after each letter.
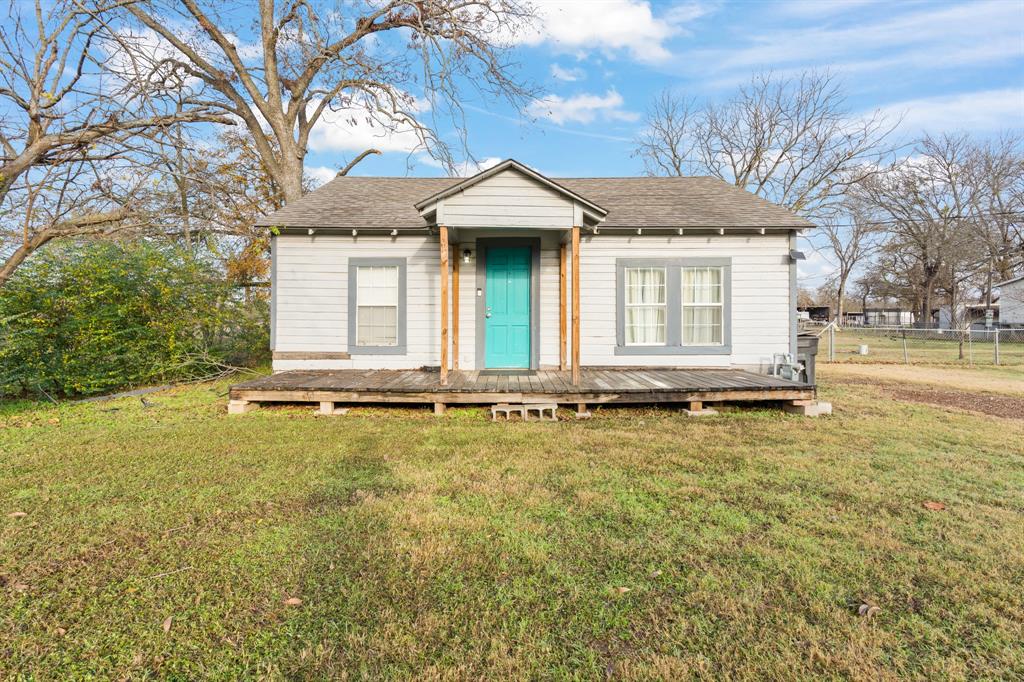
x: 612, y: 26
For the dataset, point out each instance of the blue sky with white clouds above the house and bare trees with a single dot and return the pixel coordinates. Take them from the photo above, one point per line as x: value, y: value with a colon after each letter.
x: 944, y: 66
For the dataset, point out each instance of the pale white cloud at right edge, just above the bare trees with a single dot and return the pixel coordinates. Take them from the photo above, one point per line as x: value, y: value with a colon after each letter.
x: 987, y: 111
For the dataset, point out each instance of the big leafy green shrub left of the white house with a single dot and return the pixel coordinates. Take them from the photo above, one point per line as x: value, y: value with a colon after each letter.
x: 97, y: 317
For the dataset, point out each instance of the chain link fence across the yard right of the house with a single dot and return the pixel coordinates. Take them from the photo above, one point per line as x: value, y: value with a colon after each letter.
x: 927, y: 347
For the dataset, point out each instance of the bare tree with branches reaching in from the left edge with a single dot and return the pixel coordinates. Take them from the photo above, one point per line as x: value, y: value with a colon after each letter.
x: 60, y: 124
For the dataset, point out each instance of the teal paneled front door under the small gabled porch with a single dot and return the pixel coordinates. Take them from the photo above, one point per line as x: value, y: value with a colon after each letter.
x: 506, y: 322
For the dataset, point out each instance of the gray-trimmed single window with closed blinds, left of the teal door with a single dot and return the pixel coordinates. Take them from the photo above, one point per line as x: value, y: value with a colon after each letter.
x: 377, y: 306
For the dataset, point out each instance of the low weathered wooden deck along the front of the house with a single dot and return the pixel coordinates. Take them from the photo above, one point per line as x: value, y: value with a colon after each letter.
x: 468, y: 388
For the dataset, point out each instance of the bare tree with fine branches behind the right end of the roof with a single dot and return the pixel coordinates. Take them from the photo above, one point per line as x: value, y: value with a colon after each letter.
x: 792, y: 141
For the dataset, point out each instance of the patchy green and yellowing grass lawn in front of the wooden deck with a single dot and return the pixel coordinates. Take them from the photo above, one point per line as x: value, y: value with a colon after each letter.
x: 165, y: 542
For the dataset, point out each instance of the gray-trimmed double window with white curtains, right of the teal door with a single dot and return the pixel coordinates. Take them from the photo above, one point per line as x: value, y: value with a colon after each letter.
x: 673, y: 307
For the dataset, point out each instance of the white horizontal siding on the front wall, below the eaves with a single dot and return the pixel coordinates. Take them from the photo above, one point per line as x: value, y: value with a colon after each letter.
x: 312, y: 295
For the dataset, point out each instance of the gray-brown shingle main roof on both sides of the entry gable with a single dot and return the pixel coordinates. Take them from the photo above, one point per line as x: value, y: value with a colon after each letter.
x: 631, y: 202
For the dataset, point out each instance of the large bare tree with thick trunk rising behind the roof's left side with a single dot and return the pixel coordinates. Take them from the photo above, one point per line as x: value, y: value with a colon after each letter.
x: 392, y: 66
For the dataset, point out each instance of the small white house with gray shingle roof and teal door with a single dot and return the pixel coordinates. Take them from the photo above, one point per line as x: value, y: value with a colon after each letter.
x: 673, y: 273
